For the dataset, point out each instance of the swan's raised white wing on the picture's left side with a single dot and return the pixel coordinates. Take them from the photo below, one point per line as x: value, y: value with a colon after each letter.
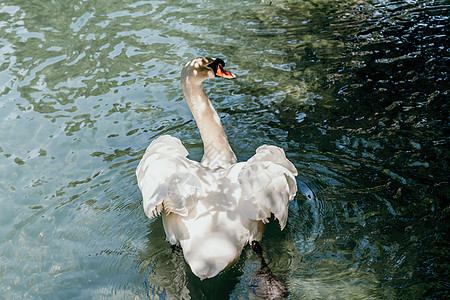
x: 167, y: 179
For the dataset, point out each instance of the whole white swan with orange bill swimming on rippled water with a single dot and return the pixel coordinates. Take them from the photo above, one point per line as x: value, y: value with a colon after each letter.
x: 213, y: 208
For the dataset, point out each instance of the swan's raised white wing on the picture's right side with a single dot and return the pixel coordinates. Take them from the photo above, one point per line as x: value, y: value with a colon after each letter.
x: 268, y: 184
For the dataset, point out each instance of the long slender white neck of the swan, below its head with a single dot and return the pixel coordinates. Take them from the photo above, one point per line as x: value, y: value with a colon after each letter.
x: 217, y: 149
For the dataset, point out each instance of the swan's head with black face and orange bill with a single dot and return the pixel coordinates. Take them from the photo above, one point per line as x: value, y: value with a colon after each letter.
x: 202, y: 68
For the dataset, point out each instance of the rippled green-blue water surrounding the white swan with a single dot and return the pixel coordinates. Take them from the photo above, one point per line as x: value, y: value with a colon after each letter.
x: 354, y: 91
